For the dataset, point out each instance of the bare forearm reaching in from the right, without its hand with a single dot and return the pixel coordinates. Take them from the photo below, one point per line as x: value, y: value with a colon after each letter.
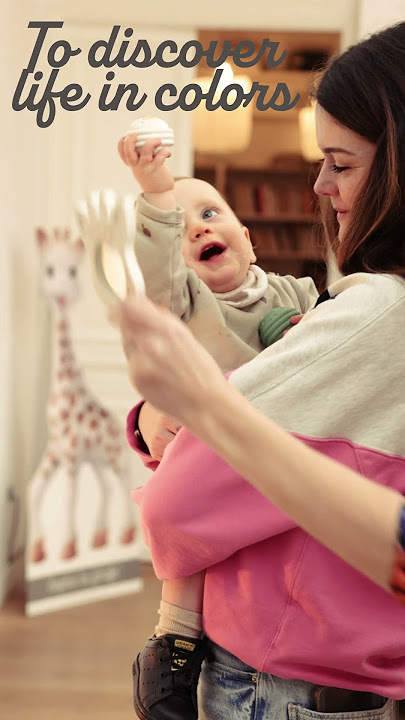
x: 354, y: 517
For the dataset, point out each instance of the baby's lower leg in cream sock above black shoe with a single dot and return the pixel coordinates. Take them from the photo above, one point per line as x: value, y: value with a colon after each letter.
x: 181, y: 606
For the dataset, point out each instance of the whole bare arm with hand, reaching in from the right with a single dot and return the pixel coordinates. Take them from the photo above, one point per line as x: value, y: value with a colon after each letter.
x: 353, y: 516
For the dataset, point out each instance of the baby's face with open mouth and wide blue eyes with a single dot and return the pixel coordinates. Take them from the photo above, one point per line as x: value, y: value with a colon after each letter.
x: 215, y: 244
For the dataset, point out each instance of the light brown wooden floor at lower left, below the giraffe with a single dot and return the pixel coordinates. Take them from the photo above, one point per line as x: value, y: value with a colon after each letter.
x: 74, y: 663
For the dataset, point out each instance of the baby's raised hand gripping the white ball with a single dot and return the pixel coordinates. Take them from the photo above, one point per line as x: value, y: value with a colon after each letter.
x: 148, y: 169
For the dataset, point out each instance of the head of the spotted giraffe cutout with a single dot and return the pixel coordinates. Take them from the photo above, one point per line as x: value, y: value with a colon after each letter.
x: 60, y: 260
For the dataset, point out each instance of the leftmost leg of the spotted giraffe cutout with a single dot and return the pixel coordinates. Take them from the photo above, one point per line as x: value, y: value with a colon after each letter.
x: 36, y: 491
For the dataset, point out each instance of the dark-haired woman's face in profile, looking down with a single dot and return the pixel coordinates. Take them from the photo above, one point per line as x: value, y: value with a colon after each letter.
x: 347, y: 161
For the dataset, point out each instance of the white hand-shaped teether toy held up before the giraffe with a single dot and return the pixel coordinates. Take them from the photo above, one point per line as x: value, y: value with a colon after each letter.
x: 108, y: 220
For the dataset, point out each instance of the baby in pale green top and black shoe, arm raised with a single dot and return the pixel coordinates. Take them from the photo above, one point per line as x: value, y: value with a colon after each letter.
x: 197, y: 260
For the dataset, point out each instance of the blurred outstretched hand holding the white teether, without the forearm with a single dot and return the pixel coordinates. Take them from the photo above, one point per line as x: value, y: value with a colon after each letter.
x: 166, y: 363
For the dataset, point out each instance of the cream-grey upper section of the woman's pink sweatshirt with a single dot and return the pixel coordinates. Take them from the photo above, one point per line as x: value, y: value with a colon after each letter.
x: 340, y: 372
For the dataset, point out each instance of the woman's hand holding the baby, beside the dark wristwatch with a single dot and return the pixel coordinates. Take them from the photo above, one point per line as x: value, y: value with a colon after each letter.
x: 157, y: 430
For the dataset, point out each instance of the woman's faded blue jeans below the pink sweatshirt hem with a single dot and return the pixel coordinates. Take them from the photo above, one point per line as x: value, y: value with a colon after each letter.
x: 230, y: 690
